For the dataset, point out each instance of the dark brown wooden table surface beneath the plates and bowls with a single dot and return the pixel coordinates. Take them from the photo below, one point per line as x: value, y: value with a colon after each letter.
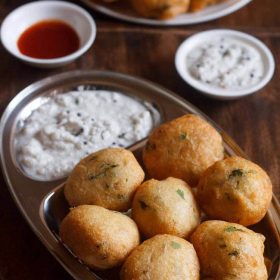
x: 147, y: 52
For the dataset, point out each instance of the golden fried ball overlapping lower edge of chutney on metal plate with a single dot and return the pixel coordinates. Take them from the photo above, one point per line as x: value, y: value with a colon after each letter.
x: 107, y: 178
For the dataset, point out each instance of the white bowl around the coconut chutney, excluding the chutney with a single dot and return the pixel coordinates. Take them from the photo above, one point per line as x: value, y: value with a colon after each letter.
x: 213, y: 91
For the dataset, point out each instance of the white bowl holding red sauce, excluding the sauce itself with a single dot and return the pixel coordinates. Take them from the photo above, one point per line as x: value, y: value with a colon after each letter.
x: 25, y: 16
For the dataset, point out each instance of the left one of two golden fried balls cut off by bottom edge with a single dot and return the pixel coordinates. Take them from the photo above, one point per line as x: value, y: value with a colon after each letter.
x: 163, y: 257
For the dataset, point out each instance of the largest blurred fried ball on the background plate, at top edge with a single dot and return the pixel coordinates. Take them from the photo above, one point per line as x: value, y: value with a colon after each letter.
x: 160, y: 9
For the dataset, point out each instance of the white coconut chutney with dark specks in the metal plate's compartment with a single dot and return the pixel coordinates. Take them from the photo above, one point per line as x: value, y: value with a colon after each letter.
x: 69, y: 126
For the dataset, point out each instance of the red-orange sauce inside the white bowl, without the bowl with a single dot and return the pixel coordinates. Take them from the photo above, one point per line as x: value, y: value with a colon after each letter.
x: 48, y: 39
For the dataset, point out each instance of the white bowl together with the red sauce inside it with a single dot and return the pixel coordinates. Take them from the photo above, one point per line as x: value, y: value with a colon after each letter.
x: 48, y: 34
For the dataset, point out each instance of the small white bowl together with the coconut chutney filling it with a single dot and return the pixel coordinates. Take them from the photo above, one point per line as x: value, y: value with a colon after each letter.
x: 224, y: 64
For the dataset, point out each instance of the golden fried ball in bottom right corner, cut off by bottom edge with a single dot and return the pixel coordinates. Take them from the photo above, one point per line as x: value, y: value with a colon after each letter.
x: 229, y: 251
